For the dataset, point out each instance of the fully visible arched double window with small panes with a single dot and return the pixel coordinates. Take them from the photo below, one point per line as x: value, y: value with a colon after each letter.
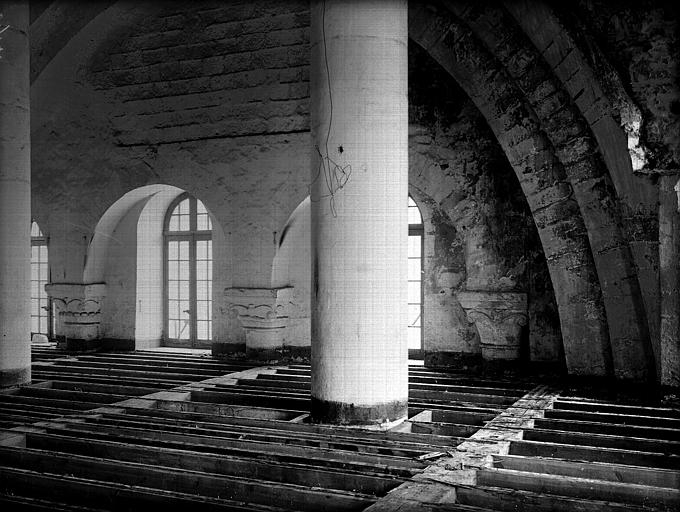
x: 188, y: 273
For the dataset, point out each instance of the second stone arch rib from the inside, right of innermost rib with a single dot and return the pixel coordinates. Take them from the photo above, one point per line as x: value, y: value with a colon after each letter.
x: 547, y: 92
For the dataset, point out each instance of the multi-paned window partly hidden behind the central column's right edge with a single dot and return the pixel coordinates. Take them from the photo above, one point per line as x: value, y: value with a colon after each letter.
x: 415, y: 267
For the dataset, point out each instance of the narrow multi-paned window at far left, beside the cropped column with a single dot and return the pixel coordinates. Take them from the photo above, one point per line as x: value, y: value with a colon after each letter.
x: 40, y: 303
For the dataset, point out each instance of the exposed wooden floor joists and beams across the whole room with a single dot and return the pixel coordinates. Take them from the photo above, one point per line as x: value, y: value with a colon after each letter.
x: 121, y: 431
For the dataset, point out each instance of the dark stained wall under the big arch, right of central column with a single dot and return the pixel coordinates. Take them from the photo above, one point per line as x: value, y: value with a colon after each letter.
x: 484, y: 236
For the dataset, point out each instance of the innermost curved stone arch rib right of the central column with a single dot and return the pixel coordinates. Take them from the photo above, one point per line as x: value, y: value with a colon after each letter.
x: 550, y: 197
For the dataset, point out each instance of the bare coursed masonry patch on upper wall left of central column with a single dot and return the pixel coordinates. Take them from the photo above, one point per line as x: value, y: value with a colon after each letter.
x: 210, y: 69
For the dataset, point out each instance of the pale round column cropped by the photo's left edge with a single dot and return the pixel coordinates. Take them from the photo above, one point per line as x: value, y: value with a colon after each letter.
x: 15, y: 196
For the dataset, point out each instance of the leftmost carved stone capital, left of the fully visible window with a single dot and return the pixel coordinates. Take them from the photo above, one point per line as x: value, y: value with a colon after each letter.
x: 77, y: 309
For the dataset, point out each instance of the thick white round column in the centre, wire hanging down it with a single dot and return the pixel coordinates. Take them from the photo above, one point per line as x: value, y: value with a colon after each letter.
x: 359, y: 205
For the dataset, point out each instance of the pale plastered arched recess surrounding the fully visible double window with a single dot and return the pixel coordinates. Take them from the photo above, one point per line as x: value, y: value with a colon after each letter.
x: 126, y: 253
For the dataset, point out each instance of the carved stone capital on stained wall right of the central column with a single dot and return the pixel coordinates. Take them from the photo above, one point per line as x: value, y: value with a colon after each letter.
x: 499, y: 318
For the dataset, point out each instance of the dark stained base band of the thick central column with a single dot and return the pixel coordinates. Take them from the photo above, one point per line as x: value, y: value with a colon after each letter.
x: 366, y: 416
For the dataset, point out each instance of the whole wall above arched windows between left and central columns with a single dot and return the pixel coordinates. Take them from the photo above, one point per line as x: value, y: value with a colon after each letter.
x: 87, y: 155
